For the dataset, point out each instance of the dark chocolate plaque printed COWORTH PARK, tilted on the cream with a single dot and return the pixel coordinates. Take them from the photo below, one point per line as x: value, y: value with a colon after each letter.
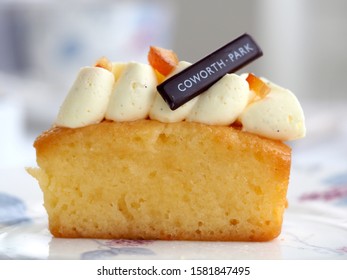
x: 198, y: 77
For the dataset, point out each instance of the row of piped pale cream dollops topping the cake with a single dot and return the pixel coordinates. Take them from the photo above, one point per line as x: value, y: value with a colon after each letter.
x: 129, y: 93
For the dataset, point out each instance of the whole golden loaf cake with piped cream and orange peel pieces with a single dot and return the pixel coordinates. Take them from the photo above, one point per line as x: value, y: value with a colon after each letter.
x: 120, y: 163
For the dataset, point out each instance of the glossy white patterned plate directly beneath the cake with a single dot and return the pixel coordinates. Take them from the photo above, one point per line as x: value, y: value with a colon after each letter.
x: 303, y: 237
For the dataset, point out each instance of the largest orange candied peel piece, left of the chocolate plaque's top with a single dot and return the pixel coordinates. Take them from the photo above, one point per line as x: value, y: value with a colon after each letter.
x: 162, y: 60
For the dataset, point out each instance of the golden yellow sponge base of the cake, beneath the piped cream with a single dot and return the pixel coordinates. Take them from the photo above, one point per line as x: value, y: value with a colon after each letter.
x: 152, y: 180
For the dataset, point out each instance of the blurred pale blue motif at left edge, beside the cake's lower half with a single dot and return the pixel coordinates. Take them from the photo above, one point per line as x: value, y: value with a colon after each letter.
x: 12, y: 210
